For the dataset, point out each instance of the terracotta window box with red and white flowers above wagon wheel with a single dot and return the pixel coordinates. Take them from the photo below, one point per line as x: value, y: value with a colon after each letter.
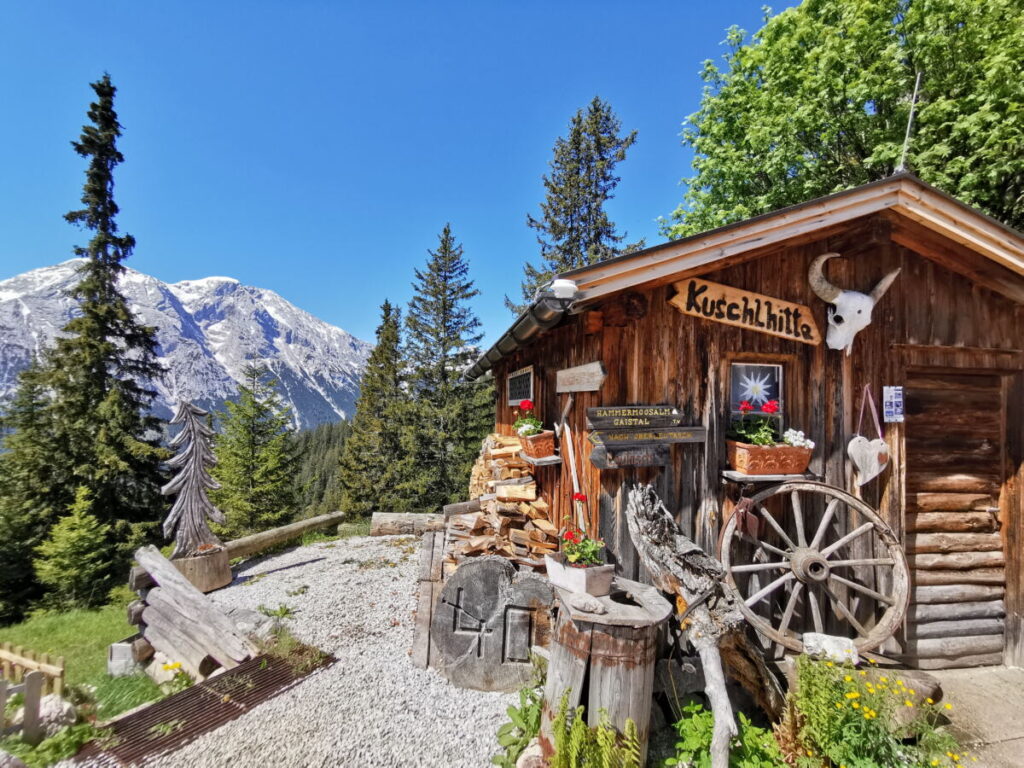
x: 755, y: 448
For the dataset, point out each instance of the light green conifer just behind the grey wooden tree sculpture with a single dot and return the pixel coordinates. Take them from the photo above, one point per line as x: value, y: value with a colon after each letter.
x: 255, y: 458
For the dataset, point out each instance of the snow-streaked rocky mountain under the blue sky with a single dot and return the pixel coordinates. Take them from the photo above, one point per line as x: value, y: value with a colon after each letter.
x: 207, y: 331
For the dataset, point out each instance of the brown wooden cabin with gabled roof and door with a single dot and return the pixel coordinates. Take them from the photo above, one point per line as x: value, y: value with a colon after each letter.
x: 943, y: 356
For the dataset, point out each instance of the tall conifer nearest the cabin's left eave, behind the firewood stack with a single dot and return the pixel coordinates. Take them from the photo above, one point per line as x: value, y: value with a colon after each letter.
x: 447, y: 417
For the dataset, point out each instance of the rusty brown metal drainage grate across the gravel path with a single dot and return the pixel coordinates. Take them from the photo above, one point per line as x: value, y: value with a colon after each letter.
x: 182, y: 718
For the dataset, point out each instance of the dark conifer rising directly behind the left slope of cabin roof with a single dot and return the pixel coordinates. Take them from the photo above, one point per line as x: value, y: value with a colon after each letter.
x: 575, y: 230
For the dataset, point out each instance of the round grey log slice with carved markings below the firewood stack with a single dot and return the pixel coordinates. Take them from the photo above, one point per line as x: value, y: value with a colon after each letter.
x: 487, y: 620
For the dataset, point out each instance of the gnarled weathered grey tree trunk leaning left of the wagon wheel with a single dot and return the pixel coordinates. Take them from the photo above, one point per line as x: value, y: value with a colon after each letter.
x: 708, y: 612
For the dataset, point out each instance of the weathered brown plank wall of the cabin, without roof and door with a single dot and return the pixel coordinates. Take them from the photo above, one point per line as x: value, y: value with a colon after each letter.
x: 931, y: 319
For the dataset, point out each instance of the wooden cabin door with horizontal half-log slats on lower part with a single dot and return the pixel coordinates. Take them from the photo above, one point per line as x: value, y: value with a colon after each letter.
x: 956, y: 474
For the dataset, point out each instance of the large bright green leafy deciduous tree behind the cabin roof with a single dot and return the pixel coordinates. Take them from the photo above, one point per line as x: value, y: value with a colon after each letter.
x: 819, y: 102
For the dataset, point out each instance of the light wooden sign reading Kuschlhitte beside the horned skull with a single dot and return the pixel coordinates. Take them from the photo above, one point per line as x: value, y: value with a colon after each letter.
x: 733, y: 307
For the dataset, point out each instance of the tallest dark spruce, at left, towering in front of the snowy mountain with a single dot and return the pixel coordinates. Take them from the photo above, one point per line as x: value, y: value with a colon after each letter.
x: 102, y: 369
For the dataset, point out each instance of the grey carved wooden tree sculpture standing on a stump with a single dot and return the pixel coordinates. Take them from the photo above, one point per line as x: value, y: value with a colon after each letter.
x: 188, y: 520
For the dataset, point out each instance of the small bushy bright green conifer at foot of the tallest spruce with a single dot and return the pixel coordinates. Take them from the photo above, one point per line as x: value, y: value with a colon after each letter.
x: 75, y: 561
